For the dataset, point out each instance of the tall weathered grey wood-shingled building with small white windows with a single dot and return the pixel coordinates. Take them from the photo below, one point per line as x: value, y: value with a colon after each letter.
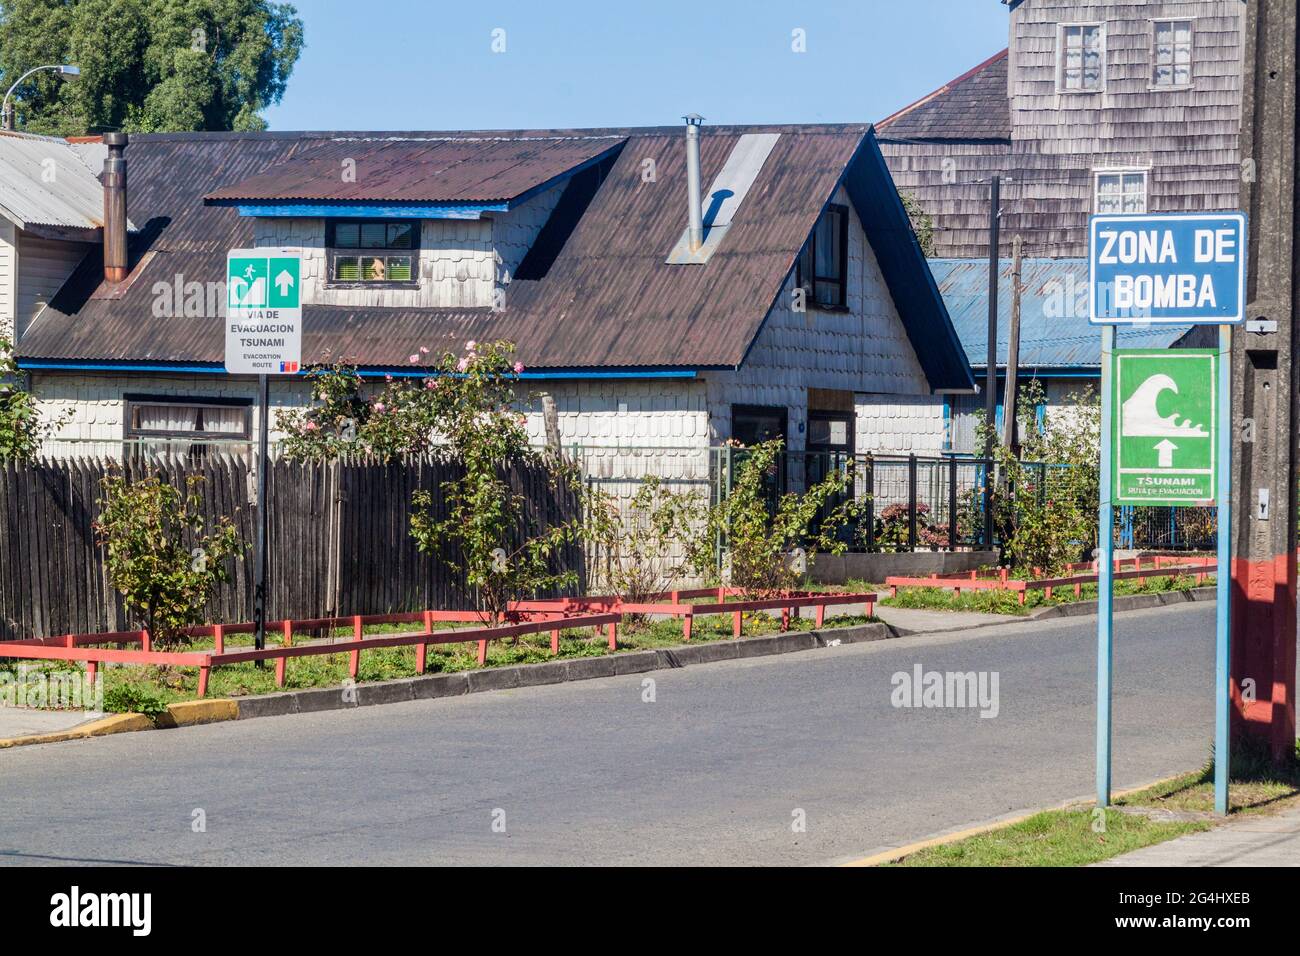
x: 1113, y: 106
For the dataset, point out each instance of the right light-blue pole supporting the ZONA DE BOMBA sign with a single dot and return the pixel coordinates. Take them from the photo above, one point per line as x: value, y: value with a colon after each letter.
x: 1223, y: 573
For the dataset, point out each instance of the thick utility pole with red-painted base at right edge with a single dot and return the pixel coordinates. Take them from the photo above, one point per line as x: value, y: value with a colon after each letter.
x: 1263, y: 663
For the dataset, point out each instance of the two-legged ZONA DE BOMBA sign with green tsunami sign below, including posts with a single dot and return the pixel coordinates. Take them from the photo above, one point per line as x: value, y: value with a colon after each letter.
x: 1165, y: 414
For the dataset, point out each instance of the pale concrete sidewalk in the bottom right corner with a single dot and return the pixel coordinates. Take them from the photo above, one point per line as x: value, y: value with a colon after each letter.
x: 1254, y: 841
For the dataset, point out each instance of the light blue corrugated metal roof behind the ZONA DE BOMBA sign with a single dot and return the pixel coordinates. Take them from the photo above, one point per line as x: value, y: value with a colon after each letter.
x: 1055, y: 330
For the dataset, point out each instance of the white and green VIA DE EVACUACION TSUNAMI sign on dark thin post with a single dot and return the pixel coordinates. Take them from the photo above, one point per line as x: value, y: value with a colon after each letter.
x: 265, y: 319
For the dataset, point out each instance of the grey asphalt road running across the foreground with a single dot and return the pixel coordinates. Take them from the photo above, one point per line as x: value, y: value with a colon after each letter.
x: 713, y: 772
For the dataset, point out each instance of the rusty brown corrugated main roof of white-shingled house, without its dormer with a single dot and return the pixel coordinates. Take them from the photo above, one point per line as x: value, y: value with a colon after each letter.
x: 604, y: 299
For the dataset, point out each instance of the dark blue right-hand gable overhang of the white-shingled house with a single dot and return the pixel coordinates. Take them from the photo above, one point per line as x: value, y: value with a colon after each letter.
x: 905, y: 269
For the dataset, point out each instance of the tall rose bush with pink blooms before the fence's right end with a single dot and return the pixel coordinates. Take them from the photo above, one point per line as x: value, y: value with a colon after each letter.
x: 488, y: 538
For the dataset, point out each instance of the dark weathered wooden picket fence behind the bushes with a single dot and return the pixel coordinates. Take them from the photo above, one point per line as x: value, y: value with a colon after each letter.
x: 339, y: 540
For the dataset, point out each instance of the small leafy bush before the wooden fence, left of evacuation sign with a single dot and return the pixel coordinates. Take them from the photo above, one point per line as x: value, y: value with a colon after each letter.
x: 161, y: 556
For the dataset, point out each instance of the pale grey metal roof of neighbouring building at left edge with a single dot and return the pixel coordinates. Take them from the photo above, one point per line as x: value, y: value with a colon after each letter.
x: 46, y: 181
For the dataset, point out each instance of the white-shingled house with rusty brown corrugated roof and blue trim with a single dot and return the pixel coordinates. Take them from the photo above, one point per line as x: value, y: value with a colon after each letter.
x: 807, y: 310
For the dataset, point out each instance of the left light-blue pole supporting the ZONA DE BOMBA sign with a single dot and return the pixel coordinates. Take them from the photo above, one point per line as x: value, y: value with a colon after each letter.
x: 1106, y: 576
